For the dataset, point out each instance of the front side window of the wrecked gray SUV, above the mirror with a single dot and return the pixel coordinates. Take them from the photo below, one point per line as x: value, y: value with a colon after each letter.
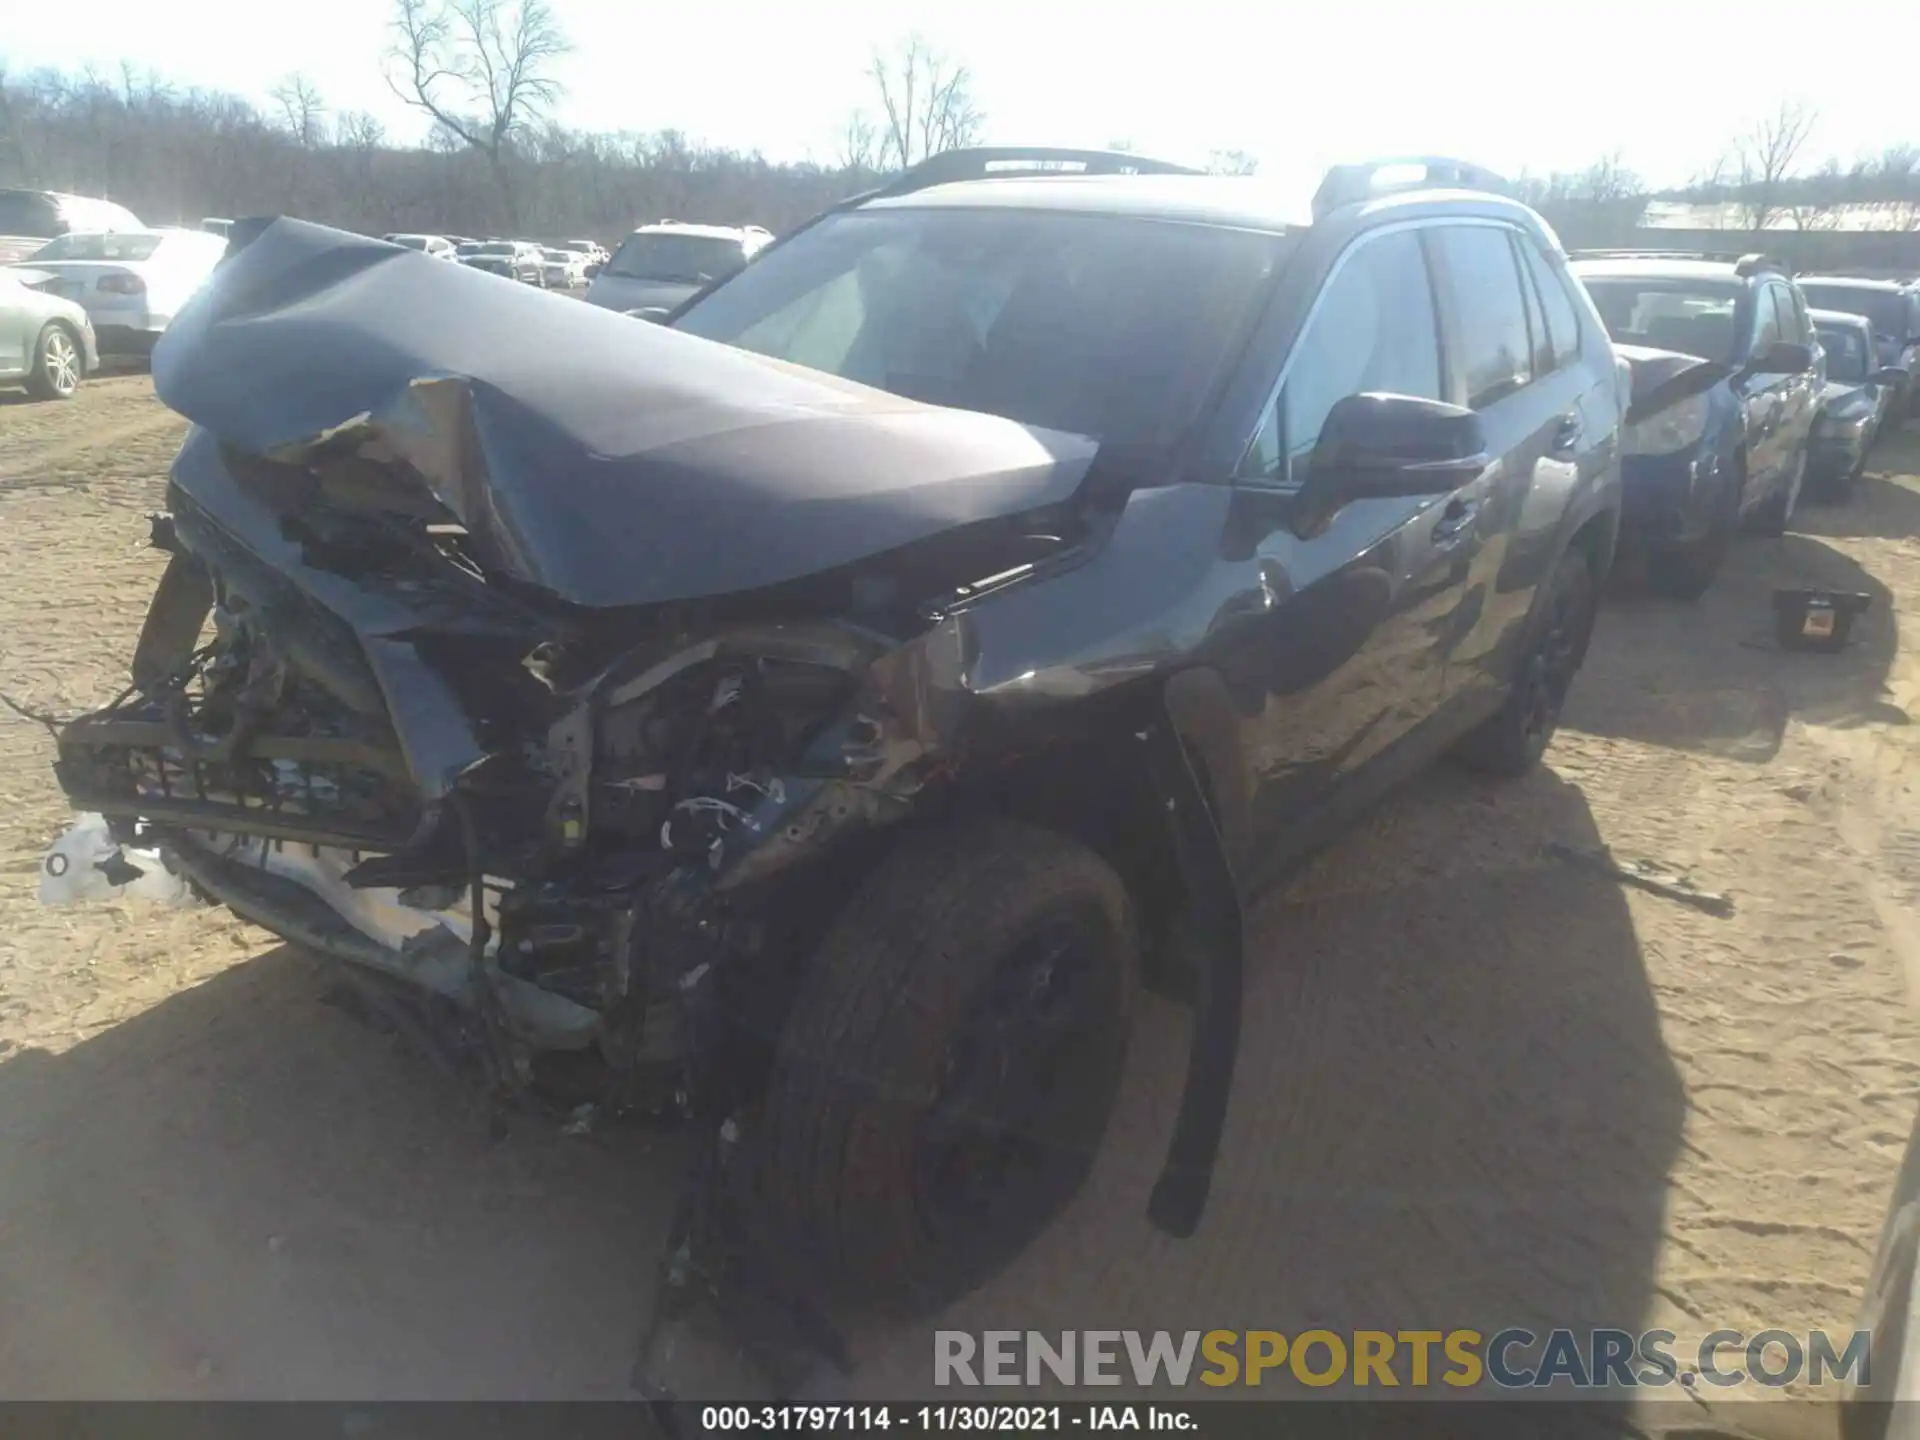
x: 1374, y: 329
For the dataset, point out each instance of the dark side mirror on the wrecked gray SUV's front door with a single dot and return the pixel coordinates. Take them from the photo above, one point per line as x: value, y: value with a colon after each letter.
x: 1383, y: 446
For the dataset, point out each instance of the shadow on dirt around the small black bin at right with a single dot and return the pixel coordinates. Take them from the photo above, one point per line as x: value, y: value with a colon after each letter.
x: 1712, y: 679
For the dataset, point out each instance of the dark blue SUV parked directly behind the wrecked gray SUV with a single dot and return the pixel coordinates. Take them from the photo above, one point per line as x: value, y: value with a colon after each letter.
x: 1723, y: 402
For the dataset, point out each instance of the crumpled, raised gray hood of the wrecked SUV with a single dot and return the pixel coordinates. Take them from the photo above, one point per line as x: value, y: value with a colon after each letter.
x: 602, y: 458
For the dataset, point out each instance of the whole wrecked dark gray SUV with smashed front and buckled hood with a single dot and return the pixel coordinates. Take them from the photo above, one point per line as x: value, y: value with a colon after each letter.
x: 811, y: 713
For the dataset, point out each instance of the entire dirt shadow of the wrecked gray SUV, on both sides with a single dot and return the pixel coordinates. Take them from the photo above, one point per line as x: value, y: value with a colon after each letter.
x: 1452, y: 1109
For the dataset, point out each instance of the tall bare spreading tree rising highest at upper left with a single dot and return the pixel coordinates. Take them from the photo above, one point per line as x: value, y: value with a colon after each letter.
x: 483, y: 70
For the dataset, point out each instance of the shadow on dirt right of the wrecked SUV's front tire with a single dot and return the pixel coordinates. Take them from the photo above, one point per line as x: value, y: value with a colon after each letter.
x: 1452, y: 1109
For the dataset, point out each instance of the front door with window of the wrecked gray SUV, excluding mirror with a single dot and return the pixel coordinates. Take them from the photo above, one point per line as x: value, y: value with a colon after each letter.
x: 1347, y: 656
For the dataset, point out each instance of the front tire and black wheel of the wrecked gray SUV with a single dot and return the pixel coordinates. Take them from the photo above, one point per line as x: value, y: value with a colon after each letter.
x: 949, y: 1067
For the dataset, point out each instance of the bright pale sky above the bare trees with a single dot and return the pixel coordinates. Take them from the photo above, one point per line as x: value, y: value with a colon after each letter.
x: 1508, y: 85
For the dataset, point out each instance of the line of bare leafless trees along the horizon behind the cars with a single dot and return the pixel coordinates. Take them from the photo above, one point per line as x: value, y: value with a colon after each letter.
x: 496, y: 160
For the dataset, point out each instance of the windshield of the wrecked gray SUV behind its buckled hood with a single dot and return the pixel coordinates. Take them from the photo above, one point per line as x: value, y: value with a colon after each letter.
x: 1097, y: 325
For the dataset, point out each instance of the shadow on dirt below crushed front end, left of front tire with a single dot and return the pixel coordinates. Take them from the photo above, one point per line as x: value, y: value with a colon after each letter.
x: 243, y: 1193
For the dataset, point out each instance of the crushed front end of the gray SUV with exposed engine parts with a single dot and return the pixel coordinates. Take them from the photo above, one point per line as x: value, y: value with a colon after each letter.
x: 629, y: 832
